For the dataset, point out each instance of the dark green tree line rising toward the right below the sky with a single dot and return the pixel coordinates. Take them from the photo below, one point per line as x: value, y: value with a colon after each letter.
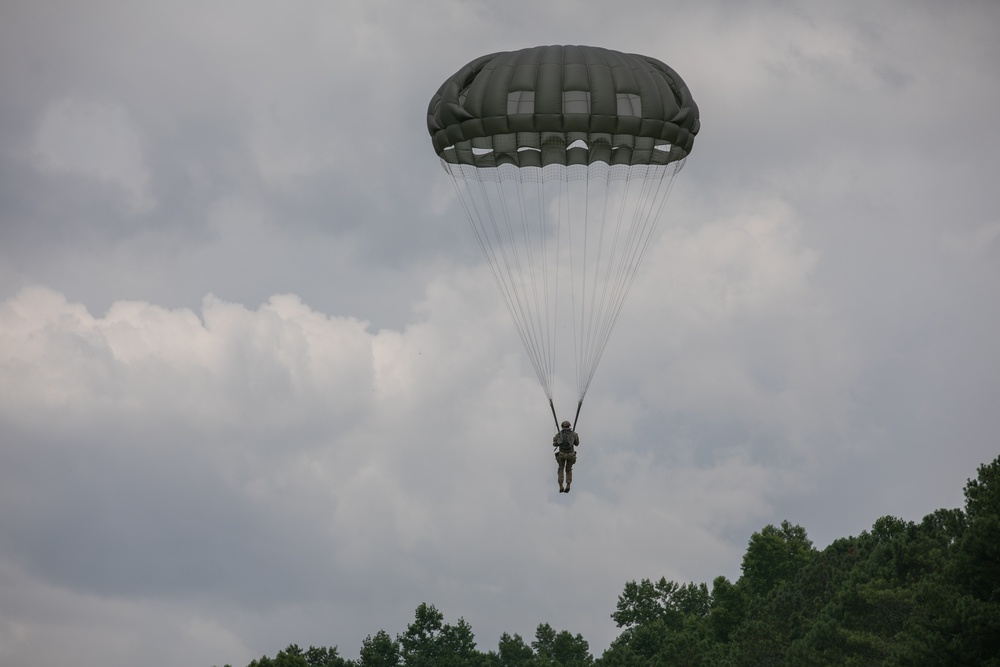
x: 903, y: 593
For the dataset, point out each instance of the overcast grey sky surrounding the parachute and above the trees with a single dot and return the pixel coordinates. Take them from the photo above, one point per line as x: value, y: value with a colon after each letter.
x: 257, y: 386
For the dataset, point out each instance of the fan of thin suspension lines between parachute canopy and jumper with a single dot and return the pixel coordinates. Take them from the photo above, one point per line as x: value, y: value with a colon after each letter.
x: 528, y: 221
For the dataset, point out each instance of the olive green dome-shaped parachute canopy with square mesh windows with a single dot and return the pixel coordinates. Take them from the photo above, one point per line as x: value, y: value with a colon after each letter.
x: 563, y: 105
